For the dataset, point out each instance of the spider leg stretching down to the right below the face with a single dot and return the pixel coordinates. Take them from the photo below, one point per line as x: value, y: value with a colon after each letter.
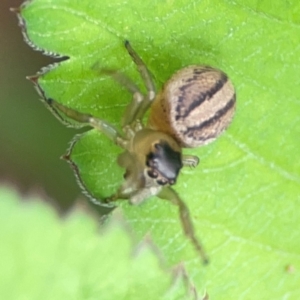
x: 186, y: 222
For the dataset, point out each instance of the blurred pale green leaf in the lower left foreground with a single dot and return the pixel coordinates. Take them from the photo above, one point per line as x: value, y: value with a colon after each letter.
x: 45, y: 257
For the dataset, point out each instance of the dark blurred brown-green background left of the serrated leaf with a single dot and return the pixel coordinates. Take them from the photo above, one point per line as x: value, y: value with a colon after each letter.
x: 31, y: 139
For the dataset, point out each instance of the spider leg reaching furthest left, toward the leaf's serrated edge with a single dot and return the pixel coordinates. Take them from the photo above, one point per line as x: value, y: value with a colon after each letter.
x: 109, y: 130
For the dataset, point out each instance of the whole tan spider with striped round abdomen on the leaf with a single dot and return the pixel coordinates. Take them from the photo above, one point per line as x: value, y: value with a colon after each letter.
x: 194, y: 106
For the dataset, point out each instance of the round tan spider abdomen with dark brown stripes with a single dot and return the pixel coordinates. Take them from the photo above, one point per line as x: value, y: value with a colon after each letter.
x: 195, y: 105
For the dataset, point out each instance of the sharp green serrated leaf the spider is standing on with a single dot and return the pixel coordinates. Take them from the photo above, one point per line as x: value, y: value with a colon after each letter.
x: 244, y: 197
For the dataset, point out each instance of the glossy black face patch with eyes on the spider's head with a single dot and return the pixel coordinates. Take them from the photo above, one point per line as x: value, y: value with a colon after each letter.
x: 163, y: 163
